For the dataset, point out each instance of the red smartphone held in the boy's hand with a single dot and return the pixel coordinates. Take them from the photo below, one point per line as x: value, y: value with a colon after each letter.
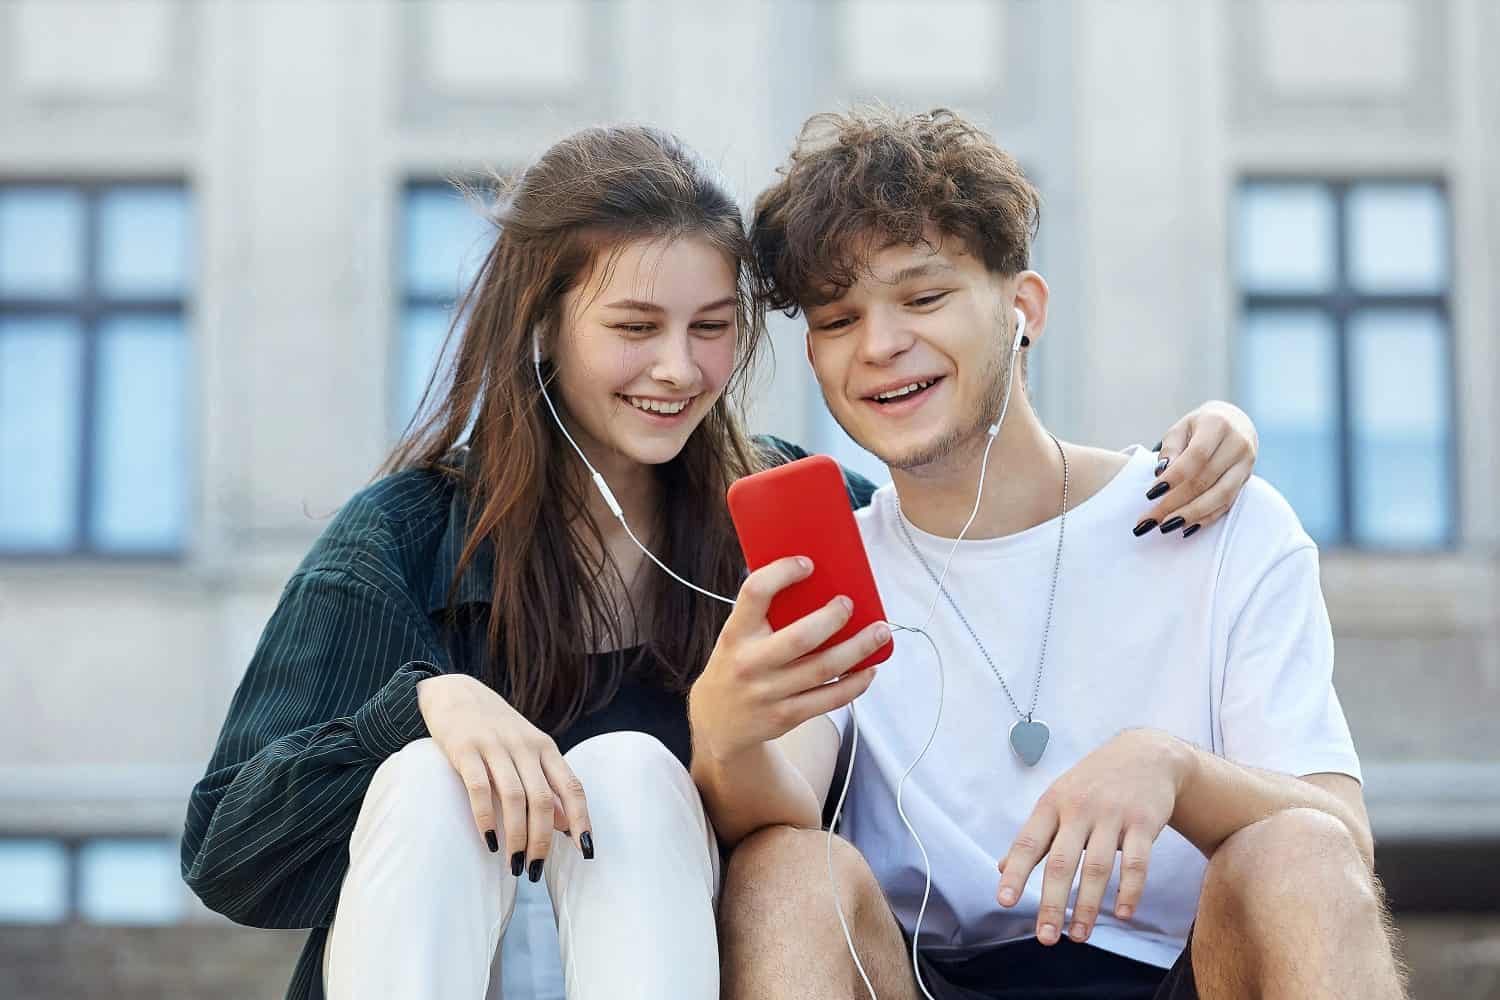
x: 802, y: 509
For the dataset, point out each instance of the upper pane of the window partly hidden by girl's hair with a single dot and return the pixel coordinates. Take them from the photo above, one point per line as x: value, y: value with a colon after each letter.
x: 446, y: 241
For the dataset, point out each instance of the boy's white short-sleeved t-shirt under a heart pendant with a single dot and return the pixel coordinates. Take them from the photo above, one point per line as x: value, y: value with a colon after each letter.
x: 1222, y: 641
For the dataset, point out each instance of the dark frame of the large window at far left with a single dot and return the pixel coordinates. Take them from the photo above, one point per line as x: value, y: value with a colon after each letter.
x: 91, y: 308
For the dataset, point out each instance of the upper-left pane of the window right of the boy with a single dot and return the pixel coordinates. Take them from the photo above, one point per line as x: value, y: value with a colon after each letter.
x: 1286, y: 241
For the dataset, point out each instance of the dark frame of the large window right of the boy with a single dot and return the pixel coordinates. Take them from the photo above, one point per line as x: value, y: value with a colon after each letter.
x: 1340, y: 304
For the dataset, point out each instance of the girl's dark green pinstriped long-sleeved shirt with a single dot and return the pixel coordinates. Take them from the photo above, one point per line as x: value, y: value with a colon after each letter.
x: 329, y: 695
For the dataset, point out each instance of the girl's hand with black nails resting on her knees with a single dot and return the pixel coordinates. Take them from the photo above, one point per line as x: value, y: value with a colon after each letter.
x: 503, y: 758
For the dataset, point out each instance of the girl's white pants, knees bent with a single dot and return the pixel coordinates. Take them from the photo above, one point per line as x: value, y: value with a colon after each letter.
x: 425, y: 903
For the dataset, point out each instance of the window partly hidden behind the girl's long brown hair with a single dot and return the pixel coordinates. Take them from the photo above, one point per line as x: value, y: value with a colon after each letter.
x: 445, y: 239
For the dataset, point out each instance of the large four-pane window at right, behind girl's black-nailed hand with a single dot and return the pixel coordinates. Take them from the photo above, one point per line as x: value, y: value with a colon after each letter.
x: 1345, y: 355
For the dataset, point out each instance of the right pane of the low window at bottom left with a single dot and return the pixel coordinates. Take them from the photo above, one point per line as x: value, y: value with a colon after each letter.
x: 130, y: 882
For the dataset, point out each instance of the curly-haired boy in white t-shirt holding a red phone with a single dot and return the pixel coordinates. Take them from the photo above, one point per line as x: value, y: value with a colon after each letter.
x: 1112, y: 705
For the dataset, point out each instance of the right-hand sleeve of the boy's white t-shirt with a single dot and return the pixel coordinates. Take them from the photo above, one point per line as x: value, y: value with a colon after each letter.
x: 1279, y: 710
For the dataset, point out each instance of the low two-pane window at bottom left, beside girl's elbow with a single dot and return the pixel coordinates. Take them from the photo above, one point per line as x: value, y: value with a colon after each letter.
x: 101, y: 881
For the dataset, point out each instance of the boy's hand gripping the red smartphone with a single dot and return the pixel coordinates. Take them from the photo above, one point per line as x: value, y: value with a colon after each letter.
x: 760, y: 683
